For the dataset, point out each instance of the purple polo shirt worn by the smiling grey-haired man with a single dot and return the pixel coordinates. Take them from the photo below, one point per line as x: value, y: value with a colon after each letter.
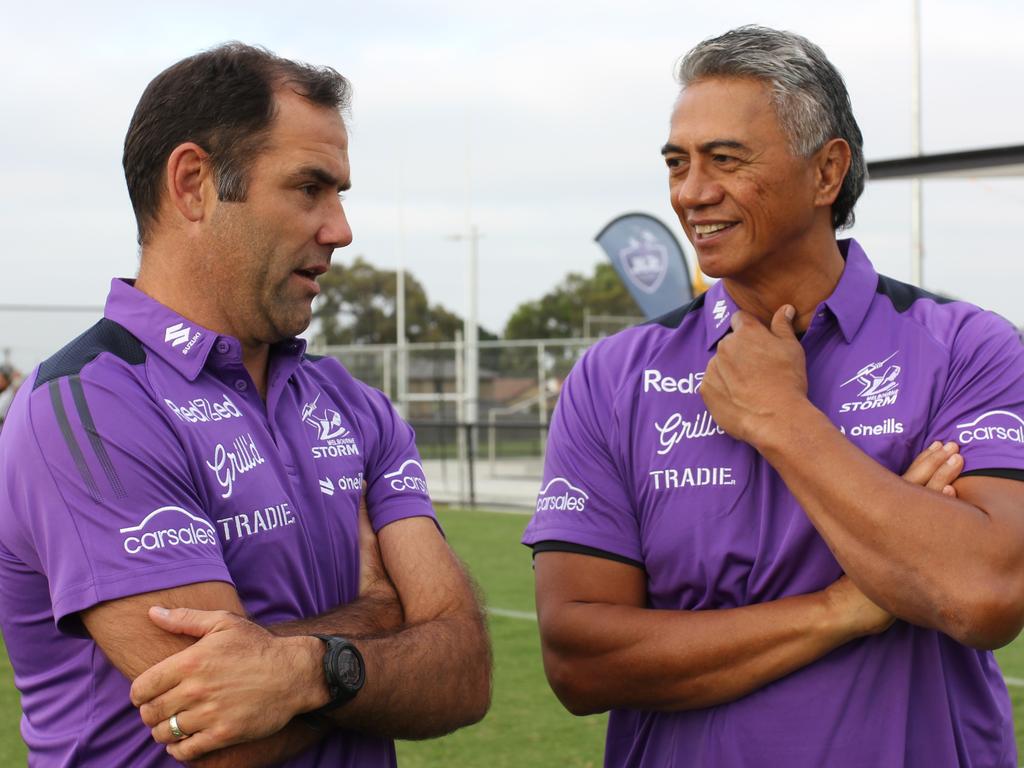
x: 637, y: 471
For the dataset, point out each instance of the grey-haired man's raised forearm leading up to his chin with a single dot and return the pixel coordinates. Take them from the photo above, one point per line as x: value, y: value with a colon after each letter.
x: 933, y: 561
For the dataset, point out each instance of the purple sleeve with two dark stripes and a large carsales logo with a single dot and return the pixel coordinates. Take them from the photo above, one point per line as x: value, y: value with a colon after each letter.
x: 100, y: 498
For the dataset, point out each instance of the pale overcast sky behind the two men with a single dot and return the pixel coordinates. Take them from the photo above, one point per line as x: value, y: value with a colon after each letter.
x: 540, y: 120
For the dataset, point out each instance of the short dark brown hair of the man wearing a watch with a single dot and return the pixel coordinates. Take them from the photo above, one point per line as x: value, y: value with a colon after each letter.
x: 224, y: 101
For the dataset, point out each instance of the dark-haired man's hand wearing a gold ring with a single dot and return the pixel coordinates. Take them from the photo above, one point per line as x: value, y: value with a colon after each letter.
x: 210, y: 686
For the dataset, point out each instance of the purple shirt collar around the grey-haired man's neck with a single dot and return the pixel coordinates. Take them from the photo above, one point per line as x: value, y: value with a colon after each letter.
x: 848, y: 304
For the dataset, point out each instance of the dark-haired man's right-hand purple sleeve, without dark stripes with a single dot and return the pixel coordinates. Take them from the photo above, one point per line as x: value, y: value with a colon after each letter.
x: 397, y: 485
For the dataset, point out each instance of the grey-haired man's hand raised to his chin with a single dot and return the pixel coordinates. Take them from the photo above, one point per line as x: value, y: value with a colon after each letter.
x: 757, y: 374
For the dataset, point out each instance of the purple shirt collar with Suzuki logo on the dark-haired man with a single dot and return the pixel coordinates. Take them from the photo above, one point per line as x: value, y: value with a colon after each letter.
x: 182, y: 344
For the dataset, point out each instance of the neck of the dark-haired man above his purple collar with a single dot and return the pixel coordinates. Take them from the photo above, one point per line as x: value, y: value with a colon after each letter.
x: 161, y: 277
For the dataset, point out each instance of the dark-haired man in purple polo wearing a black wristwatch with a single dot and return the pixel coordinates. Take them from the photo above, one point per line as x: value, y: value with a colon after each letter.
x: 190, y: 501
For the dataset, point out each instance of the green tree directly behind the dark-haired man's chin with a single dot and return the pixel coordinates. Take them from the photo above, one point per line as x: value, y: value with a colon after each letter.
x: 357, y: 306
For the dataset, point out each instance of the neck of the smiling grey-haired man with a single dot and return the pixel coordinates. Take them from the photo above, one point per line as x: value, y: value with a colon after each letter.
x: 804, y: 279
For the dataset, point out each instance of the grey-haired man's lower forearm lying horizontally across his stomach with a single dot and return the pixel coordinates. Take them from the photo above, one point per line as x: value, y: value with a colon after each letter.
x: 600, y: 657
